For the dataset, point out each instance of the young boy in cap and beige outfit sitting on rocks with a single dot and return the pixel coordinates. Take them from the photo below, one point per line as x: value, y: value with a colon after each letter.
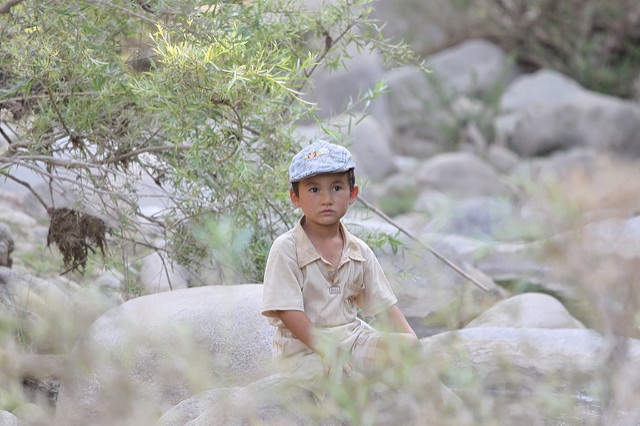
x: 318, y: 275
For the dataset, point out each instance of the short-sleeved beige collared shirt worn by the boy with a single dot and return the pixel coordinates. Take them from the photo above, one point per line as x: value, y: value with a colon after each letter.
x: 298, y: 278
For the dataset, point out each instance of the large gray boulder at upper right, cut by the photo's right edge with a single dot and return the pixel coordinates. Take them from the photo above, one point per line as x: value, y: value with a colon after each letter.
x: 547, y: 112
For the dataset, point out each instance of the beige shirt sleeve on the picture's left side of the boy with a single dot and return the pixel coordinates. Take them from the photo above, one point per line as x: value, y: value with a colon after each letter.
x: 282, y: 288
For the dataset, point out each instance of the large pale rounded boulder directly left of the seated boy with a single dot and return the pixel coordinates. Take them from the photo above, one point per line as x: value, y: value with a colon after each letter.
x: 147, y: 355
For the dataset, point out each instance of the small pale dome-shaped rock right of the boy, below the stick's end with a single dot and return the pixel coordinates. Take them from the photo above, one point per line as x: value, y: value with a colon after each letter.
x: 528, y: 310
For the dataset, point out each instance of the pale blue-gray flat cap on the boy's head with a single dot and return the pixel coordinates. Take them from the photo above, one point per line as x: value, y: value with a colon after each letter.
x: 320, y: 157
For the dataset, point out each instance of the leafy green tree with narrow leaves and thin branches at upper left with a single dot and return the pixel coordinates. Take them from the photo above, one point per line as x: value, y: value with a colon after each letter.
x: 188, y: 106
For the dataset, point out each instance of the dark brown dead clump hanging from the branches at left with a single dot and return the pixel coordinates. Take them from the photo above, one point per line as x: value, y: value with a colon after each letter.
x: 74, y: 232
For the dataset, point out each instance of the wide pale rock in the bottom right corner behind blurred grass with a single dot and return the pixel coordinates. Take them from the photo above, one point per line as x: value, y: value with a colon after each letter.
x: 527, y: 371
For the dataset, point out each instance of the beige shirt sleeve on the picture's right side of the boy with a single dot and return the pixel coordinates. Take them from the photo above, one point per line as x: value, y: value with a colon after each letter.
x: 378, y: 295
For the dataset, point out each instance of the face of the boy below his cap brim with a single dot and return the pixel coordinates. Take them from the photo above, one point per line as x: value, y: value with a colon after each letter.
x: 325, y: 198
